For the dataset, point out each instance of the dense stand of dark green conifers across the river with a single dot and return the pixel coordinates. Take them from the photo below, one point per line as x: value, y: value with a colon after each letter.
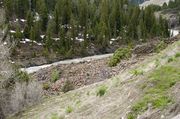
x: 99, y: 20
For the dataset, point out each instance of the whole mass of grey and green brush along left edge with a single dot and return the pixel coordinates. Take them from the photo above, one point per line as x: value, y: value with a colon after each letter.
x: 20, y: 92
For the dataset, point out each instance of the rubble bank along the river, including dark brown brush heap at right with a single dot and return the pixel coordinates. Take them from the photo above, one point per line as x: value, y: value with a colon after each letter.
x: 91, y: 71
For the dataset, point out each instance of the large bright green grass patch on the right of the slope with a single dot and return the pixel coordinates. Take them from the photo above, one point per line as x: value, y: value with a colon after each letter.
x: 156, y: 89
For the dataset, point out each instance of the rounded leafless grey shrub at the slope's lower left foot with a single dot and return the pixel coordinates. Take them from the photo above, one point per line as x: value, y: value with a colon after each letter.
x: 25, y: 95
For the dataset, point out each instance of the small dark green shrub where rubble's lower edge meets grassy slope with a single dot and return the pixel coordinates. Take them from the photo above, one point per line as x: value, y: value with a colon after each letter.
x: 68, y: 86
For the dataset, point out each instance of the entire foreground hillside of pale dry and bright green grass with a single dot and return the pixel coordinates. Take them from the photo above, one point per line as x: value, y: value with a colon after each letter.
x: 116, y: 97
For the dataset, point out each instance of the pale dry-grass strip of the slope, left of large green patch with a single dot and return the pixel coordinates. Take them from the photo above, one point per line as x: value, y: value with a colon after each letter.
x: 123, y: 91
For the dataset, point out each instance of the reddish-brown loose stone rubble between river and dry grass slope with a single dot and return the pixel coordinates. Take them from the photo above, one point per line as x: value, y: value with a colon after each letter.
x: 82, y: 74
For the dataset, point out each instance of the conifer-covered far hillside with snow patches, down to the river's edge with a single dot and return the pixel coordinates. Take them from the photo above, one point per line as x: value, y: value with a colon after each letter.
x: 69, y: 28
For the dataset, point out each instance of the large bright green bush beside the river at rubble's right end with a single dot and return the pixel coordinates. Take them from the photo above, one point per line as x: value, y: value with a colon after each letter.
x: 121, y: 53
